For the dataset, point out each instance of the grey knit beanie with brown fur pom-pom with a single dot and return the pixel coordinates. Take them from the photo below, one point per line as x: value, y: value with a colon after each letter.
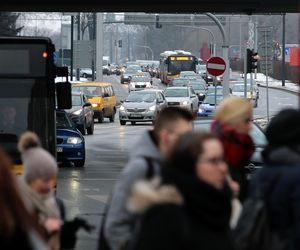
x: 38, y: 163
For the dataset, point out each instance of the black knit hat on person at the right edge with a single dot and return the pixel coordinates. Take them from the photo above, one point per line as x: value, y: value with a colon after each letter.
x: 284, y: 128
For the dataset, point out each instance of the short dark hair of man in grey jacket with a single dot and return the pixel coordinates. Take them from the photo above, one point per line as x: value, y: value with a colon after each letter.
x: 168, y: 116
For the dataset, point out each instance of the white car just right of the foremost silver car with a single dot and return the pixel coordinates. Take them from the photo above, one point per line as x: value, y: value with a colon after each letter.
x: 184, y: 97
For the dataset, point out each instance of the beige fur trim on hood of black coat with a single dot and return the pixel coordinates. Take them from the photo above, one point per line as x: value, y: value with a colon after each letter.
x: 147, y: 193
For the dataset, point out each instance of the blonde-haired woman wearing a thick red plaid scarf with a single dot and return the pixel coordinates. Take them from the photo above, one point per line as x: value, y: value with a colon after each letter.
x: 232, y: 124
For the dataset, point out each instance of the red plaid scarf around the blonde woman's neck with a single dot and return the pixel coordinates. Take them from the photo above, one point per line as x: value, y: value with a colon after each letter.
x: 238, y: 148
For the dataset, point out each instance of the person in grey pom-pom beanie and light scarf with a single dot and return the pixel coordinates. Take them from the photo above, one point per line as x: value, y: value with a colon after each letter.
x: 37, y: 187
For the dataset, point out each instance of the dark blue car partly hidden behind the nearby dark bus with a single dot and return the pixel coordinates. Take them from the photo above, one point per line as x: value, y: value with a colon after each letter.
x: 70, y: 142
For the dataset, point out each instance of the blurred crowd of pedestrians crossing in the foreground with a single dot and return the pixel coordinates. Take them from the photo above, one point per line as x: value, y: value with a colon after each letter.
x: 176, y: 191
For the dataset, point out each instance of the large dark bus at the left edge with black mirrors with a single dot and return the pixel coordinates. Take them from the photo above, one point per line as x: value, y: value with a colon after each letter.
x: 28, y: 93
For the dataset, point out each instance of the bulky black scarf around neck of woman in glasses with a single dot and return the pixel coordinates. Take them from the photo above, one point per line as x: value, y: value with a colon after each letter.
x: 204, y: 203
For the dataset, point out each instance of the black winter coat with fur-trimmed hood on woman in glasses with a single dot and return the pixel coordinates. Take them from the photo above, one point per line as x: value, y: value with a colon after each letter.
x: 187, y: 214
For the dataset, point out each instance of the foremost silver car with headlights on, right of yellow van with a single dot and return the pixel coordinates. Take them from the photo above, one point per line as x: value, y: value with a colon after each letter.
x: 142, y: 106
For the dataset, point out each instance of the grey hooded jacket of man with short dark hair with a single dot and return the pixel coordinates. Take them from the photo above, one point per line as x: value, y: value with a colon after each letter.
x: 119, y: 221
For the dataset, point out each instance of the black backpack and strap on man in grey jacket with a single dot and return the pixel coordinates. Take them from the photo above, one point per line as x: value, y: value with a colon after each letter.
x: 102, y: 242
